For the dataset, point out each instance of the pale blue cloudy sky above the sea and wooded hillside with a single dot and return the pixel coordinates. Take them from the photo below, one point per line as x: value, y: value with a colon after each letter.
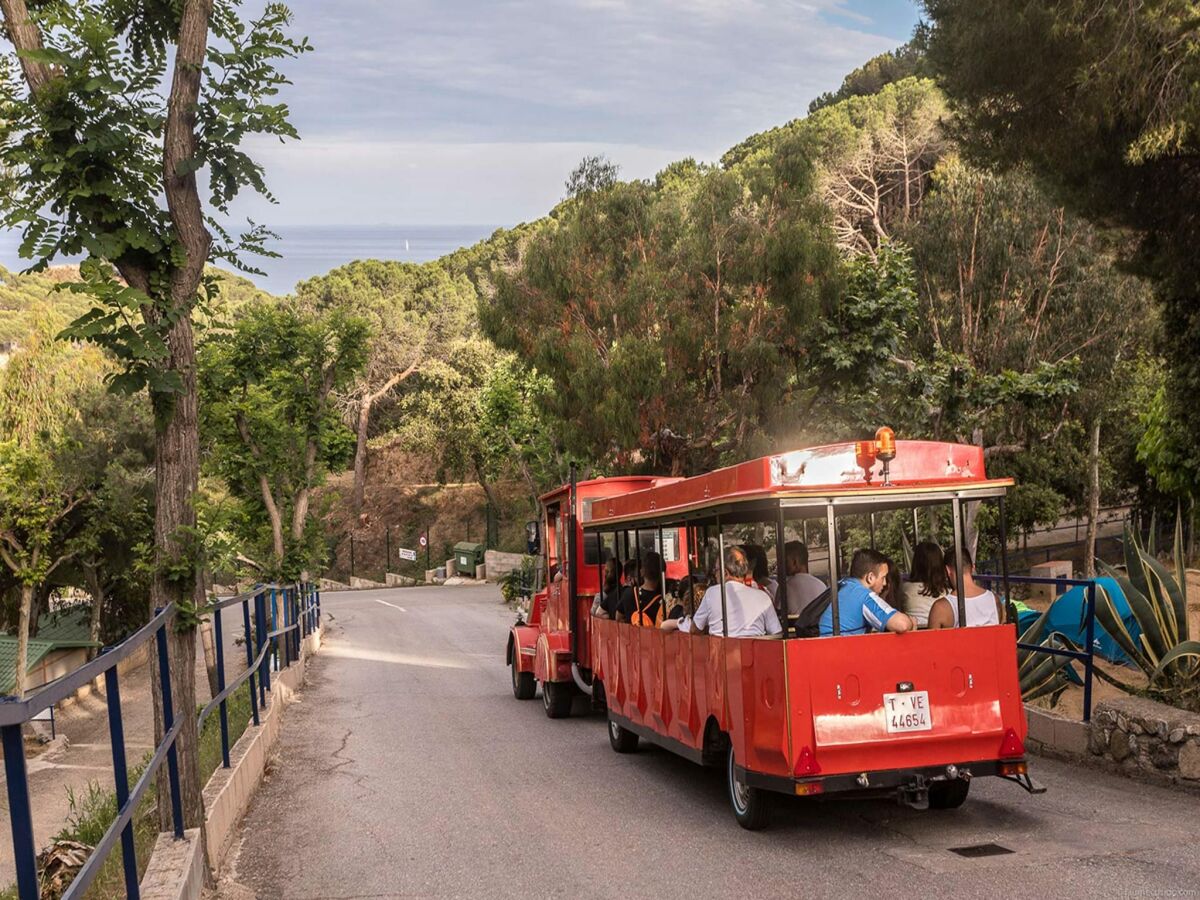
x: 451, y: 112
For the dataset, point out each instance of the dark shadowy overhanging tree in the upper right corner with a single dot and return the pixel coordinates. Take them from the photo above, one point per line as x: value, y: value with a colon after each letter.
x: 1103, y: 107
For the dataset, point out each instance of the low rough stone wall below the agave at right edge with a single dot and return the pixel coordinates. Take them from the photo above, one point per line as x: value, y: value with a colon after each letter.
x: 1148, y: 739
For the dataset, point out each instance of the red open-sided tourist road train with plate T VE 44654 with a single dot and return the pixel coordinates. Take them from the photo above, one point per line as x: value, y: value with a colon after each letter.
x: 917, y: 715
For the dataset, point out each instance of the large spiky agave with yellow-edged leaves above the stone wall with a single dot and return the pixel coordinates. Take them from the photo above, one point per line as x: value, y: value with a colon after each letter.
x: 1157, y: 598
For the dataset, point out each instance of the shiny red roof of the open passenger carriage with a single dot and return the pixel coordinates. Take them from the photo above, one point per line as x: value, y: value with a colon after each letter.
x: 802, y: 482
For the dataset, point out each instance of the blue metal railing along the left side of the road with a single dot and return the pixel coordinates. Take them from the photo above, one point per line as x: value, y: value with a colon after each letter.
x: 301, y: 605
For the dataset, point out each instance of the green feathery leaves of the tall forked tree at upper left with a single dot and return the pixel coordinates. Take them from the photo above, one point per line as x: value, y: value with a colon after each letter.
x: 85, y: 161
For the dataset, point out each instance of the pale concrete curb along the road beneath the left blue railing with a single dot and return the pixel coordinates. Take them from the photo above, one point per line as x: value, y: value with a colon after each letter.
x: 177, y: 869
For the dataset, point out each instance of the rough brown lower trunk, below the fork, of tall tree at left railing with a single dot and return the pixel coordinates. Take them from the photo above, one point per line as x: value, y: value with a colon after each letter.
x: 177, y: 476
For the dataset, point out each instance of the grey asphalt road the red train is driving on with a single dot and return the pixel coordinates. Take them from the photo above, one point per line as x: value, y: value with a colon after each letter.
x: 409, y: 770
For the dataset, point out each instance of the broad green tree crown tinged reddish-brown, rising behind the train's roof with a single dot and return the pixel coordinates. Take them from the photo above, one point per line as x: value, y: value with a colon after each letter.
x: 667, y: 314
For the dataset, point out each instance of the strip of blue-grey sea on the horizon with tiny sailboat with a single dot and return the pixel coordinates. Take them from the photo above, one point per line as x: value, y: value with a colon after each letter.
x: 314, y: 250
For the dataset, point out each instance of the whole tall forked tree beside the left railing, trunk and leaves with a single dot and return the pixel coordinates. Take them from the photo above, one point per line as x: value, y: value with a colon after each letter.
x: 115, y: 111
